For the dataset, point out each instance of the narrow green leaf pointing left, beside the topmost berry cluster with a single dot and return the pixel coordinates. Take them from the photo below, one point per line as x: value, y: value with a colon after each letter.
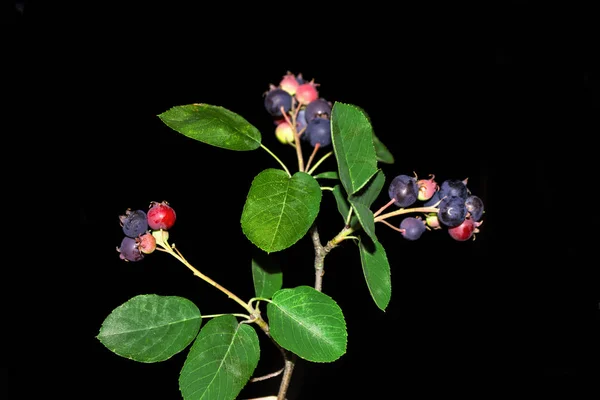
x: 213, y: 125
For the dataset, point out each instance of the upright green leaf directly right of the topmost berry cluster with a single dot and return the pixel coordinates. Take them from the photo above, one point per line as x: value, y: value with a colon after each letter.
x: 352, y: 137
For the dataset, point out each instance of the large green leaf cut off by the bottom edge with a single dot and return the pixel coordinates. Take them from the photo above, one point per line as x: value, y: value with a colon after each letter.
x: 221, y: 360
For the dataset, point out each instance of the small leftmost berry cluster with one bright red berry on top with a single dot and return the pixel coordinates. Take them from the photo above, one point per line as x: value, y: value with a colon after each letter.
x: 141, y: 228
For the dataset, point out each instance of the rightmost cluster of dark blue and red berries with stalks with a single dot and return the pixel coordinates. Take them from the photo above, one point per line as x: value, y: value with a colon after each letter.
x: 456, y: 208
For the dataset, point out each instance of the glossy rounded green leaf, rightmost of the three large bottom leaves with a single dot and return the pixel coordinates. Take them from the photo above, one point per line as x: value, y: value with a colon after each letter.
x: 308, y: 323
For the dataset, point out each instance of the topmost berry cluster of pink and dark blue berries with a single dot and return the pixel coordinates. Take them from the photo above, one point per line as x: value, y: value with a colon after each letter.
x: 296, y: 106
